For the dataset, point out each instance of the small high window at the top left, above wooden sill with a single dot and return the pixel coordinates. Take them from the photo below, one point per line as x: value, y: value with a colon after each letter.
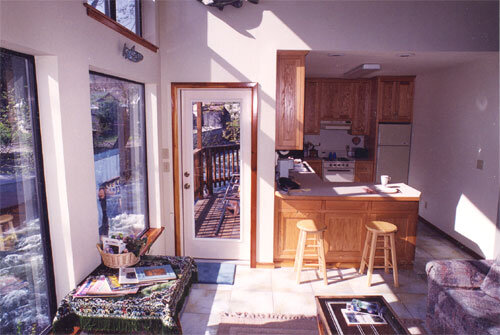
x: 125, y: 12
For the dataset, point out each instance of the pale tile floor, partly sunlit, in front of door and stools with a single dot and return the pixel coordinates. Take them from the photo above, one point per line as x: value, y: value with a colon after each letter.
x: 275, y: 290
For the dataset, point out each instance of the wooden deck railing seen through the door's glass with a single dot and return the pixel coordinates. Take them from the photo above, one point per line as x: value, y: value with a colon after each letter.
x: 214, y: 166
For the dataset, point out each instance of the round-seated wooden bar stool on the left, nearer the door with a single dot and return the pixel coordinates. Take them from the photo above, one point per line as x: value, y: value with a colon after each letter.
x: 312, y: 228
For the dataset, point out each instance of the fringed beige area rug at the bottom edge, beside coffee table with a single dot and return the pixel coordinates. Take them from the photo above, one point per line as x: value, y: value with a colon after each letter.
x: 263, y: 324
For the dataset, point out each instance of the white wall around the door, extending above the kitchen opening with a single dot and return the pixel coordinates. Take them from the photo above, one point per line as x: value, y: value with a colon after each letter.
x: 203, y: 44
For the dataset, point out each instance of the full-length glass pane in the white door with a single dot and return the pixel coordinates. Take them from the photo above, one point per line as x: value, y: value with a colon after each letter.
x: 216, y: 170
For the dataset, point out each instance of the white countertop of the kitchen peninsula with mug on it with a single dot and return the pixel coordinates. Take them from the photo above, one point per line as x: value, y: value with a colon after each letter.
x: 313, y: 186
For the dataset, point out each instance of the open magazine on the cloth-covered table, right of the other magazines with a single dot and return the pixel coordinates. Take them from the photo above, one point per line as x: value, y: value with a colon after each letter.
x: 146, y: 275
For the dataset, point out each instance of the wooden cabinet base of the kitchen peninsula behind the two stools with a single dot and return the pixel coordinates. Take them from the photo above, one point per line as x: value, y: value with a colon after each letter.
x: 345, y: 221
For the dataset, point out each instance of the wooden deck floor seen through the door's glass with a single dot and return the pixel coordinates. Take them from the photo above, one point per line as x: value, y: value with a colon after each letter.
x: 207, y: 213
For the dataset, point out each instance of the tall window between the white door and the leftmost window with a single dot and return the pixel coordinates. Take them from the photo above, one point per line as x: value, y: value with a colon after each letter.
x: 119, y: 136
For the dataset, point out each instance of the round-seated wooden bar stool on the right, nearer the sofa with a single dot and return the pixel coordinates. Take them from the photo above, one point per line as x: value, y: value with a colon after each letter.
x: 387, y: 231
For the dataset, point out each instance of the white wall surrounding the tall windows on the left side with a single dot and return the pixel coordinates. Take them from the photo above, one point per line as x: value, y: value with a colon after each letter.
x: 67, y: 44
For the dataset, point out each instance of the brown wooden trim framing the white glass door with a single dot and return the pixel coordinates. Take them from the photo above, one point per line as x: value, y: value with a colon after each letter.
x: 175, y: 87
